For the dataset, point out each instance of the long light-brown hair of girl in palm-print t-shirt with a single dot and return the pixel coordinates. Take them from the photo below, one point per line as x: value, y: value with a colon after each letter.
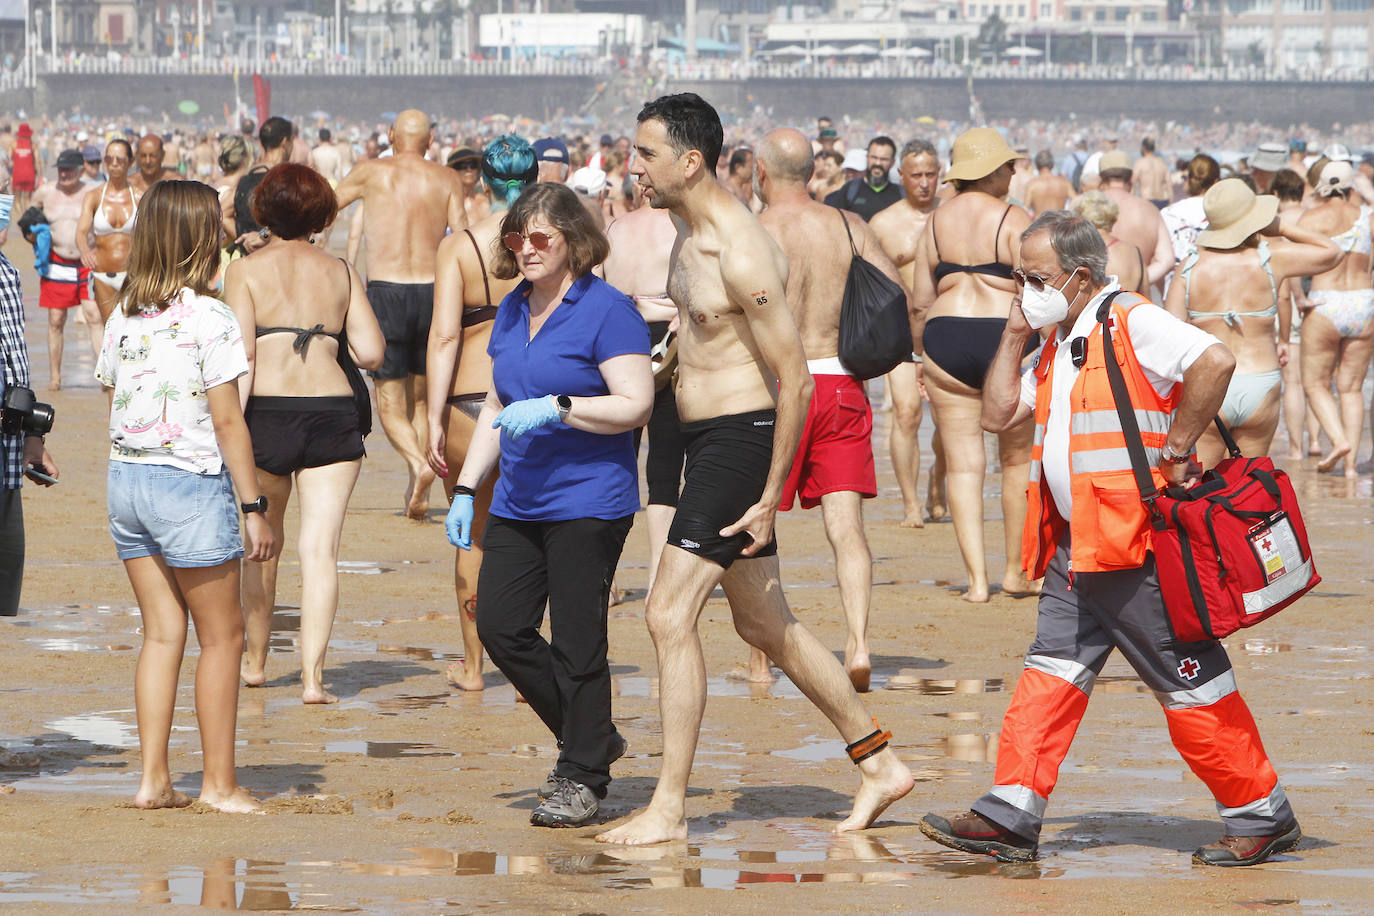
x: 177, y: 245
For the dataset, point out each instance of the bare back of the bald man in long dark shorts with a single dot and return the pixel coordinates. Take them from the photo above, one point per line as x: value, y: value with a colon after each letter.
x: 406, y: 205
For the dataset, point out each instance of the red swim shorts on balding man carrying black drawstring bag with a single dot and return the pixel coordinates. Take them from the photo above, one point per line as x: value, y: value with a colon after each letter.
x: 836, y: 451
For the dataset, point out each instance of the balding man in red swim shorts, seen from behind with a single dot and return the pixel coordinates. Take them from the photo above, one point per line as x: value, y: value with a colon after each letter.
x: 833, y: 468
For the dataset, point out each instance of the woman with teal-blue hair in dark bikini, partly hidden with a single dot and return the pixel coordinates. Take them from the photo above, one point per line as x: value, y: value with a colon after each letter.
x: 461, y: 373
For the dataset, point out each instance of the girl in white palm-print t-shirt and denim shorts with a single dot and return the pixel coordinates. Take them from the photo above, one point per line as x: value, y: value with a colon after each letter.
x: 179, y: 451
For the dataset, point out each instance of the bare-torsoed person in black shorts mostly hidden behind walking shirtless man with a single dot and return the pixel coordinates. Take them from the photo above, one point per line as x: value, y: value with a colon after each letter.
x: 641, y: 249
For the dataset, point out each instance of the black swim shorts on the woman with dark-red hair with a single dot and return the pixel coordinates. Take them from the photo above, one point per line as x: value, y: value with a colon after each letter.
x: 291, y: 433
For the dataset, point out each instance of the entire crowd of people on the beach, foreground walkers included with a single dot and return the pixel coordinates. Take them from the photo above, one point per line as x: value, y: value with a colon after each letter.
x: 531, y: 301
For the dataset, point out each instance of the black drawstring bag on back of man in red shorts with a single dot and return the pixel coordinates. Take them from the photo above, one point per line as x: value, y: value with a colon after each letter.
x: 875, y: 329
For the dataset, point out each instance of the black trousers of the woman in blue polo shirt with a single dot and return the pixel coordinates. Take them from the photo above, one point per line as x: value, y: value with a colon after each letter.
x: 570, y: 566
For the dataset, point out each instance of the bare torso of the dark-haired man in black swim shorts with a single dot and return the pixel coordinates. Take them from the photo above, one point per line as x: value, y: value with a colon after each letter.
x: 721, y: 370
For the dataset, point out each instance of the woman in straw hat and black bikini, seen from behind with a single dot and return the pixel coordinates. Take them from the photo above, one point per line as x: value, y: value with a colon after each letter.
x: 962, y: 289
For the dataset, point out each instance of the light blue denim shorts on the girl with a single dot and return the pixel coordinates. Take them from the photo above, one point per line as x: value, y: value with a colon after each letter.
x: 188, y: 518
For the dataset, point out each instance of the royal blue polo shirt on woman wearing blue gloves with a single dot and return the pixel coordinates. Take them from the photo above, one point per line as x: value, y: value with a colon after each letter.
x: 557, y: 473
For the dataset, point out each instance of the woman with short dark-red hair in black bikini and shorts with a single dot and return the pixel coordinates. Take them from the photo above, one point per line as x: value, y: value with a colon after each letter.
x: 297, y: 307
